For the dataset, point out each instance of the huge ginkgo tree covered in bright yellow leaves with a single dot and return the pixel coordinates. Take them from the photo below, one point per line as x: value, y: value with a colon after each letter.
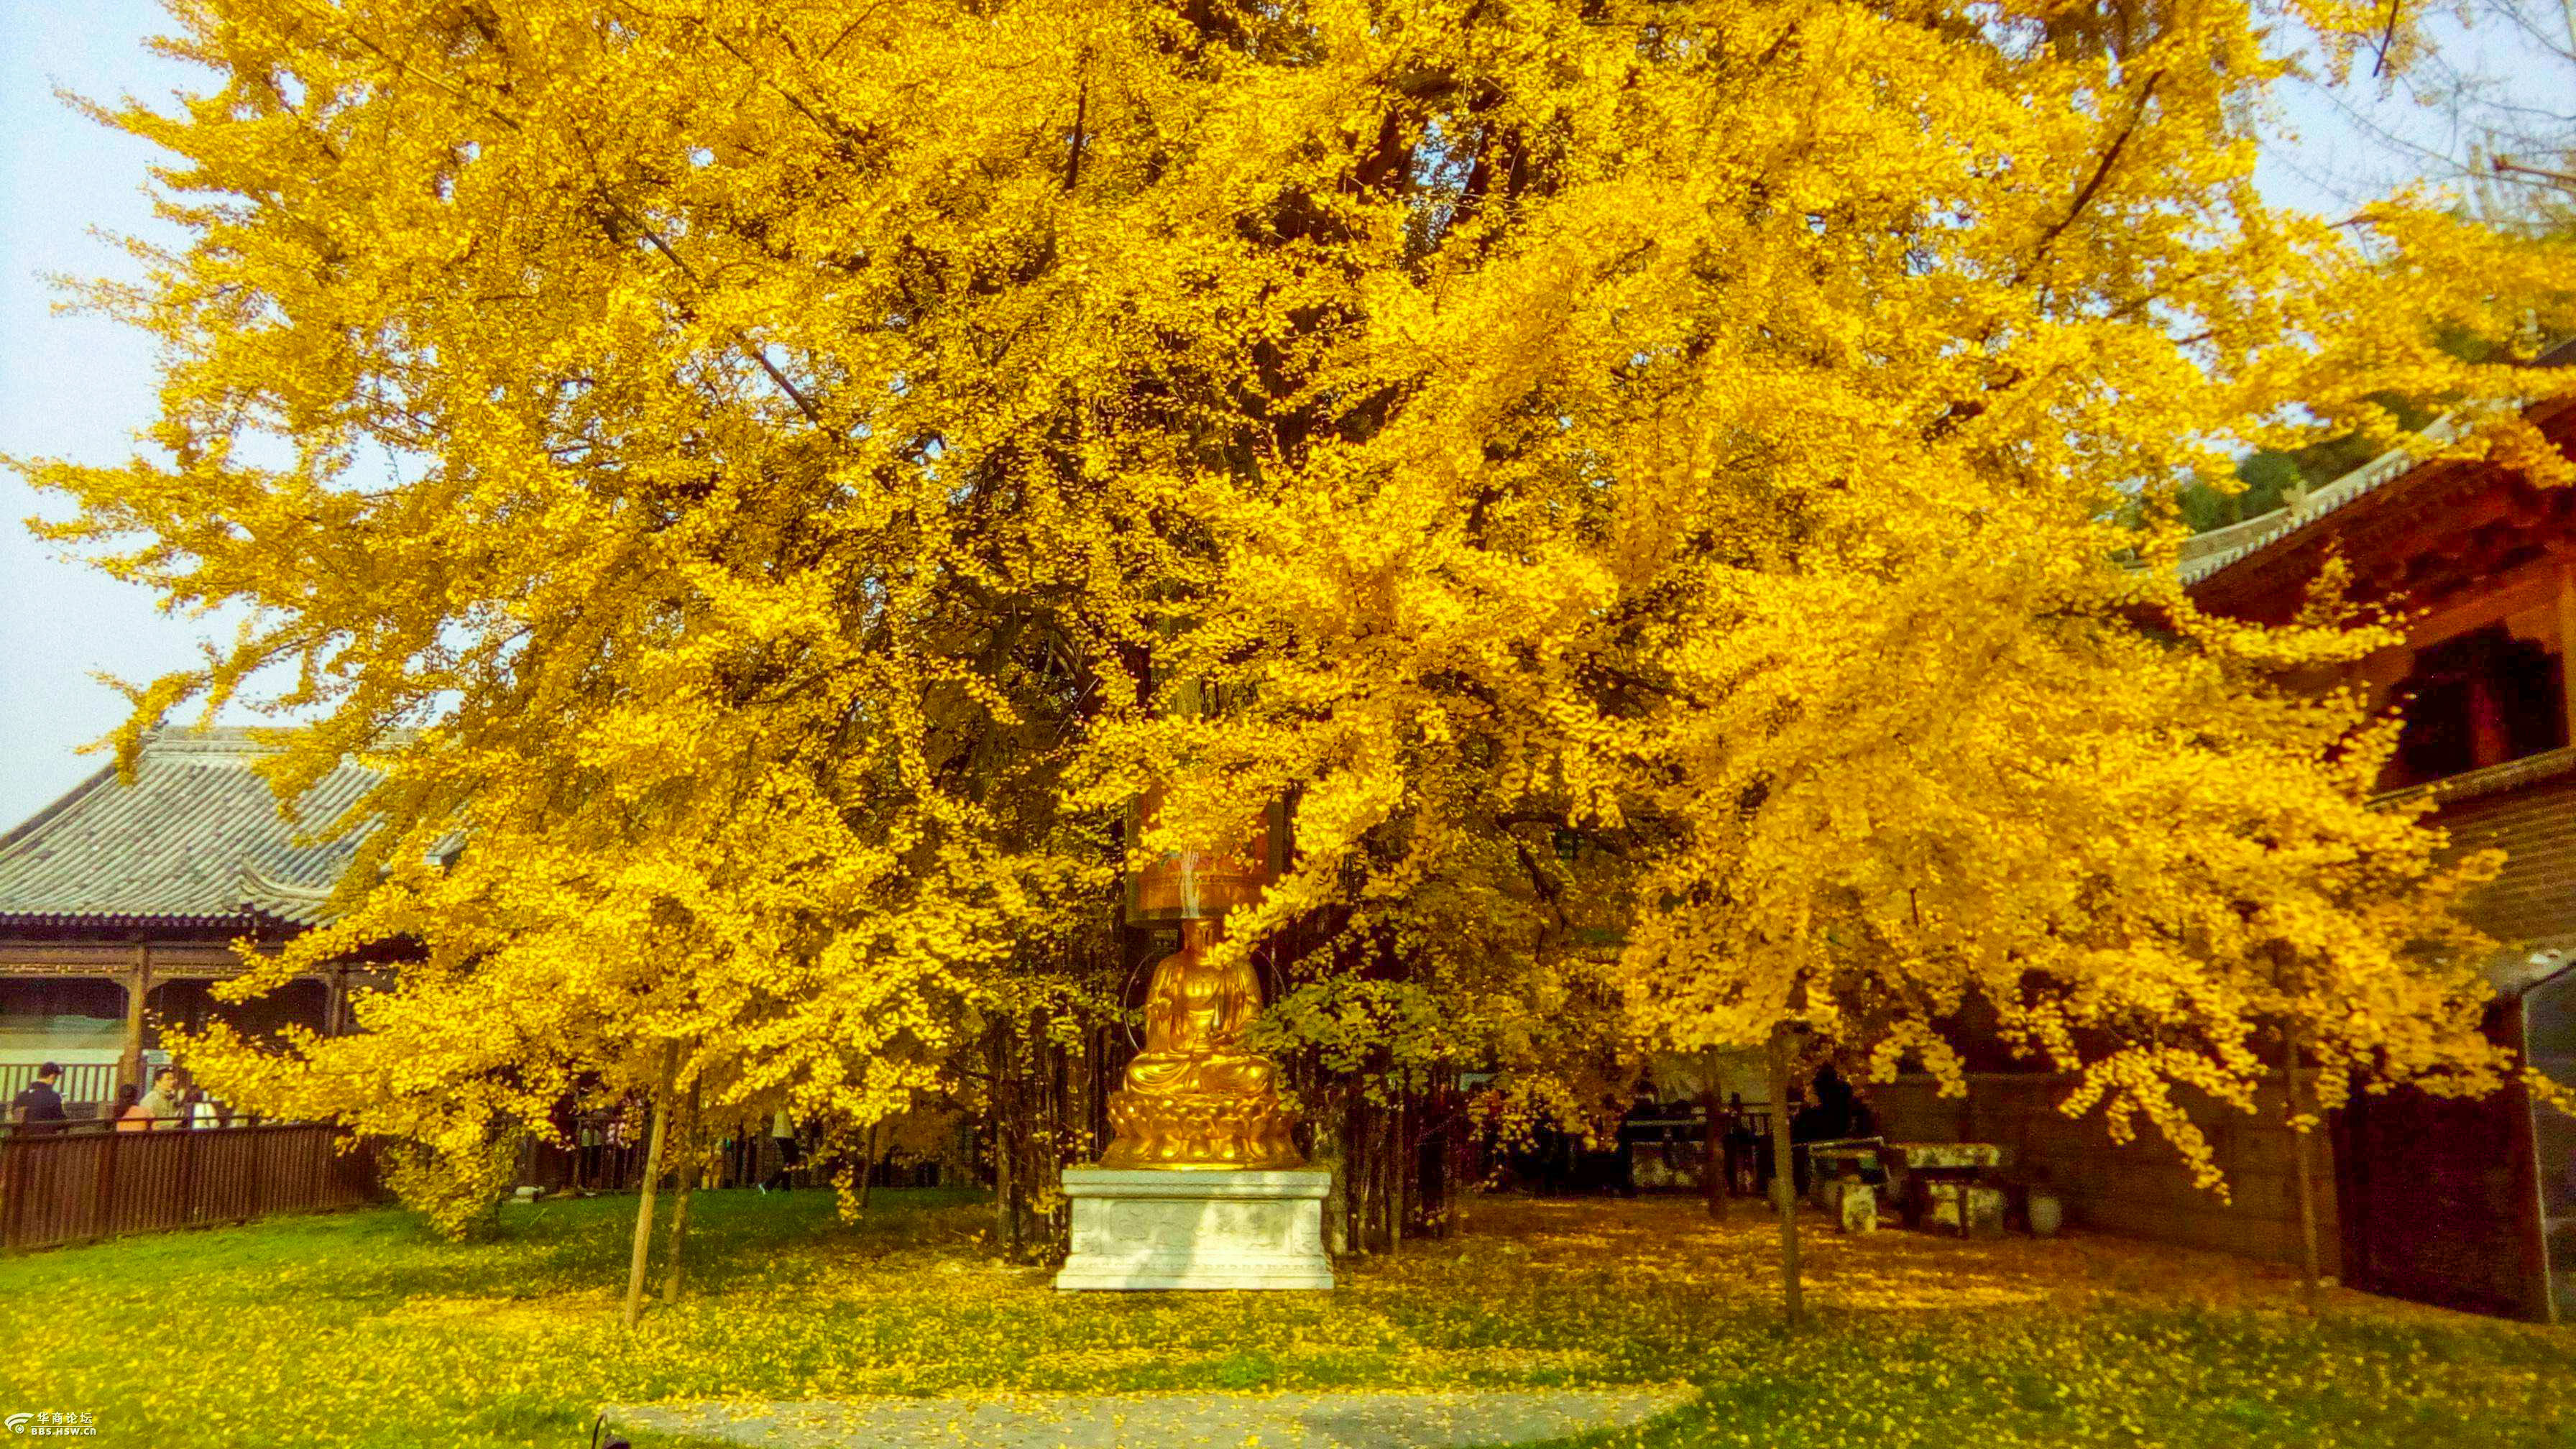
x: 766, y: 473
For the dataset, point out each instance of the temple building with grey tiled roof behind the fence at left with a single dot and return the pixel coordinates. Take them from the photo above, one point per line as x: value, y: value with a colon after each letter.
x: 125, y: 904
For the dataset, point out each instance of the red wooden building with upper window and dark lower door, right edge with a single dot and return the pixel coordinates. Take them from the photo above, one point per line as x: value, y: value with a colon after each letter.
x: 2472, y: 1205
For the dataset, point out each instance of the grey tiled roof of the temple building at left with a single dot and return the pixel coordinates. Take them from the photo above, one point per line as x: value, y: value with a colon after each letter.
x: 194, y: 842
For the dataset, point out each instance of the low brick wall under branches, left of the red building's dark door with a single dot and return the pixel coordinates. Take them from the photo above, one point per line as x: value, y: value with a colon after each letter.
x: 2139, y: 1190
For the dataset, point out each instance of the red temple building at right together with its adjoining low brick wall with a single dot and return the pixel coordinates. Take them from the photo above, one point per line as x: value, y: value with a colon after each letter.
x: 2456, y: 1203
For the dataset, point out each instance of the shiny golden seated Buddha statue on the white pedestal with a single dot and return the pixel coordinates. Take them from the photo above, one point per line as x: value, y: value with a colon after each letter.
x: 1197, y: 1097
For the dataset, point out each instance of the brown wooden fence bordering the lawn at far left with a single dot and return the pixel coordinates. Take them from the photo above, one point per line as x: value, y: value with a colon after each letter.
x: 73, y: 1187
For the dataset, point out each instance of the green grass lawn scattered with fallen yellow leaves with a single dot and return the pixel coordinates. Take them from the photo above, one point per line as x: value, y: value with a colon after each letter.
x: 362, y: 1329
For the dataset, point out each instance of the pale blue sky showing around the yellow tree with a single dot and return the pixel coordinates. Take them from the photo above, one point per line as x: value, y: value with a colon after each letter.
x: 81, y: 388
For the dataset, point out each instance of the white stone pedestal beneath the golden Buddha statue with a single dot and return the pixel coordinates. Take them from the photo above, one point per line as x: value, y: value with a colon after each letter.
x: 1163, y: 1229
